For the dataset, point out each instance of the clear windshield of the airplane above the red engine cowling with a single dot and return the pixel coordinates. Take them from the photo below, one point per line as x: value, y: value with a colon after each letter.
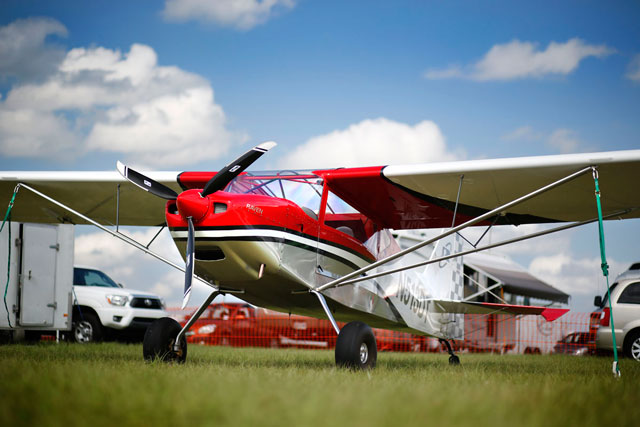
x: 302, y: 188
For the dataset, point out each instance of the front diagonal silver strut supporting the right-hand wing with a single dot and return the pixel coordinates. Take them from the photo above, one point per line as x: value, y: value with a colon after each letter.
x: 453, y: 230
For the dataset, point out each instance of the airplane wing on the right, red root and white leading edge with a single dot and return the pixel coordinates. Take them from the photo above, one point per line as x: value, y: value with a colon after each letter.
x: 424, y: 195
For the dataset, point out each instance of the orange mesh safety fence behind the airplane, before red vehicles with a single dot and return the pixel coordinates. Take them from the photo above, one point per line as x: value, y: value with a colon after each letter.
x: 241, y: 325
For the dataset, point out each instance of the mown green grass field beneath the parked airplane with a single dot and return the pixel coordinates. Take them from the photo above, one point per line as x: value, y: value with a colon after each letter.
x: 109, y: 384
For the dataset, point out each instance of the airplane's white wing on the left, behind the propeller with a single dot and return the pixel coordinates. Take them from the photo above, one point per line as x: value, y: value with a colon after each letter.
x: 94, y: 194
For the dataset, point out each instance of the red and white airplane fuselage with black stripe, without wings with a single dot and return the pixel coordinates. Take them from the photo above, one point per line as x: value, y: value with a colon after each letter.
x: 271, y: 252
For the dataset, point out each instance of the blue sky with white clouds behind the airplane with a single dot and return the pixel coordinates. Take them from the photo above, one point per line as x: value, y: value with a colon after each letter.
x: 191, y: 84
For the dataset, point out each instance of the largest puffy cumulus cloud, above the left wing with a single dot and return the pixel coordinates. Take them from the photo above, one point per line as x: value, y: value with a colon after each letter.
x: 99, y: 99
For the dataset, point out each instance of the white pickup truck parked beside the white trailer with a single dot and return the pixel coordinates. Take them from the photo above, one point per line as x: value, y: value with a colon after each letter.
x: 103, y: 309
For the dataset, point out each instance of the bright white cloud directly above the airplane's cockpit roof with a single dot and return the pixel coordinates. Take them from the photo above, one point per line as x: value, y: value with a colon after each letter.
x: 373, y: 143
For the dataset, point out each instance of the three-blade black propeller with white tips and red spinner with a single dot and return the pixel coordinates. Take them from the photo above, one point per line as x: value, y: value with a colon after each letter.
x: 190, y: 204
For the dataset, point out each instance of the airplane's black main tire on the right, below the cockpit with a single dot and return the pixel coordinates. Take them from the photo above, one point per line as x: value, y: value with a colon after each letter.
x: 356, y: 347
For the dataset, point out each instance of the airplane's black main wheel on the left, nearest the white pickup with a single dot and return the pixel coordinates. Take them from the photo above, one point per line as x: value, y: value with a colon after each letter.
x: 159, y: 341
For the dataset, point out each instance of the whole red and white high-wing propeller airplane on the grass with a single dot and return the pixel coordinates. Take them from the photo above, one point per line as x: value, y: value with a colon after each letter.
x: 318, y: 242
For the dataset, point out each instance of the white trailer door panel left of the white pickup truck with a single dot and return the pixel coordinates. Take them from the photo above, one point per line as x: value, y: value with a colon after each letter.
x: 37, y: 296
